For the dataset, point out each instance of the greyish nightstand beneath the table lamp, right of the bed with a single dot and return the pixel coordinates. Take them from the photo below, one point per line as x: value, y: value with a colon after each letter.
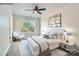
x: 67, y: 46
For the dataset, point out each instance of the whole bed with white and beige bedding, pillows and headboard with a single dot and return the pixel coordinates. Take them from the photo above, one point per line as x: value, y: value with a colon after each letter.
x: 38, y: 45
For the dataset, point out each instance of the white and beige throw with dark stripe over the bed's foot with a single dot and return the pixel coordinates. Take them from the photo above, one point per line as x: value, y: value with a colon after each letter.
x: 37, y: 45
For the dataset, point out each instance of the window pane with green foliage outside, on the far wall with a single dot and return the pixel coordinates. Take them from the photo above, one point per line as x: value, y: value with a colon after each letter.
x: 27, y: 24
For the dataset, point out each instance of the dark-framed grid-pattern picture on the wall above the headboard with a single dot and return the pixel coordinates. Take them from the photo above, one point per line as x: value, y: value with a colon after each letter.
x: 54, y: 21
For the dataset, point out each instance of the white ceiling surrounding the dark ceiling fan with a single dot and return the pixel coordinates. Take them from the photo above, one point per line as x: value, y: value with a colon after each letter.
x: 19, y: 8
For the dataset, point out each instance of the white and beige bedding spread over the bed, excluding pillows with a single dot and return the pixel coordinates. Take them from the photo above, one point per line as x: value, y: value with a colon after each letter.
x: 44, y: 43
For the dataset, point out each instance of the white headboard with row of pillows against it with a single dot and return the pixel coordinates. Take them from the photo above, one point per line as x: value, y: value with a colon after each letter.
x: 55, y: 33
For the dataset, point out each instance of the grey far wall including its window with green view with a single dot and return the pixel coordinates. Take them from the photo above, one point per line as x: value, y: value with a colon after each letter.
x: 26, y: 24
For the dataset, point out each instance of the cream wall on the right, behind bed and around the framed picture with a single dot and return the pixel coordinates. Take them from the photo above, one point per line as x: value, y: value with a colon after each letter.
x: 70, y: 20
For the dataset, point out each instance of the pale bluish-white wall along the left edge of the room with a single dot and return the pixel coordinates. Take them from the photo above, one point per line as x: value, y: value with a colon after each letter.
x: 4, y: 30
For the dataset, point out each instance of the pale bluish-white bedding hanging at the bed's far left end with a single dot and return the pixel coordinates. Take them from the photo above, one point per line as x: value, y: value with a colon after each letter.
x: 23, y: 48
